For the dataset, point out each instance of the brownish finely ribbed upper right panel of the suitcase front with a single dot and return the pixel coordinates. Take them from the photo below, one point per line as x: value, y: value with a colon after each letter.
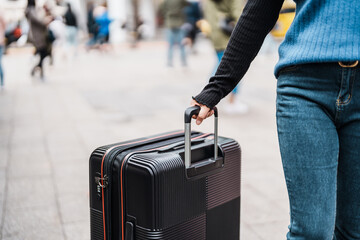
x: 225, y: 185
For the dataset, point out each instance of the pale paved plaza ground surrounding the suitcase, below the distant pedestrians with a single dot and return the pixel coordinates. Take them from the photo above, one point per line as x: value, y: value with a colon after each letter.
x: 48, y: 130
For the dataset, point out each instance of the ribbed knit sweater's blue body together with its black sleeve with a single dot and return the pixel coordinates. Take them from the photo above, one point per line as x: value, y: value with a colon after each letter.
x: 323, y: 31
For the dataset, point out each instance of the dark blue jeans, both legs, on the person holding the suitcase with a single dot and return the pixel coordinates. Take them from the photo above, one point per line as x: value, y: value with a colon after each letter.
x: 318, y: 120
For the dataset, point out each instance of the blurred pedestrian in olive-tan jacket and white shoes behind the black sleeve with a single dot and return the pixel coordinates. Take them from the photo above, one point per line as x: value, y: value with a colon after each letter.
x: 222, y: 16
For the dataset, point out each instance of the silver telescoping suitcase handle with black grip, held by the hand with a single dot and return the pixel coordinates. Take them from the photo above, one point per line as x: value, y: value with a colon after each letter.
x: 189, y: 113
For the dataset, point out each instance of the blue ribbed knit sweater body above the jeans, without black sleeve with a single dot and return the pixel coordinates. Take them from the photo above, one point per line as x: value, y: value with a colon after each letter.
x: 323, y: 31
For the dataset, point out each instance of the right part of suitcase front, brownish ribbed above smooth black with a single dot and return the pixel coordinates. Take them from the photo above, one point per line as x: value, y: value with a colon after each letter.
x: 223, y: 191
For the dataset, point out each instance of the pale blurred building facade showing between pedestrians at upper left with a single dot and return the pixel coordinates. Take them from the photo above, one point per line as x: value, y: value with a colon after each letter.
x: 123, y: 12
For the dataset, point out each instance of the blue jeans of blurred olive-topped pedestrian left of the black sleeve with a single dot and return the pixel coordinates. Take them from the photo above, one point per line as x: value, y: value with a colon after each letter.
x: 175, y: 36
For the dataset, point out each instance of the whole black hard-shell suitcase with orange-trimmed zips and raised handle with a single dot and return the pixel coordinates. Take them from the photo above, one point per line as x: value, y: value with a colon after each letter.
x: 147, y: 189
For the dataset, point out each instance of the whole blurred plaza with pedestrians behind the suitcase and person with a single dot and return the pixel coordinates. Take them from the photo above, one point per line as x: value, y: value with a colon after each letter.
x: 76, y: 75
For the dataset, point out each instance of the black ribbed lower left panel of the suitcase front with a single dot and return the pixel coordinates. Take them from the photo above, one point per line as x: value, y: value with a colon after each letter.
x: 194, y: 229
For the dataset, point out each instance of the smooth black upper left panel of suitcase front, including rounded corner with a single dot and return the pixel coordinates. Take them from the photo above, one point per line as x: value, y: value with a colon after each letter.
x: 158, y: 193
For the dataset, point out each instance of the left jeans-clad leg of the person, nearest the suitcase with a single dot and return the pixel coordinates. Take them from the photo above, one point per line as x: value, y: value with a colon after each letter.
x: 309, y: 149
